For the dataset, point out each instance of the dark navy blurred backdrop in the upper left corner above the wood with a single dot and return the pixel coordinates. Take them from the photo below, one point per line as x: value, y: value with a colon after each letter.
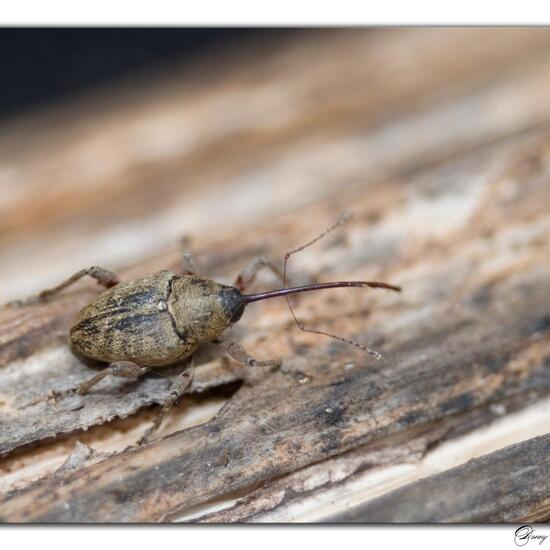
x: 38, y: 65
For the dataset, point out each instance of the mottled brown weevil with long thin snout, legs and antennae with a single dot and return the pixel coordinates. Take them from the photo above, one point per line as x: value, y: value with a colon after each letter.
x: 149, y: 322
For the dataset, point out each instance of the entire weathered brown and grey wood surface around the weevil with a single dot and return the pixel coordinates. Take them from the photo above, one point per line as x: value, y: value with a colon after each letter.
x: 438, y: 143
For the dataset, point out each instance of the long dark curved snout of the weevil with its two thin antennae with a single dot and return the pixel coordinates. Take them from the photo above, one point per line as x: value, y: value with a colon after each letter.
x: 286, y: 292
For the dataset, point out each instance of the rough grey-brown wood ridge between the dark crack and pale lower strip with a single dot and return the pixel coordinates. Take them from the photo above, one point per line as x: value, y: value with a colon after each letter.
x: 265, y: 434
